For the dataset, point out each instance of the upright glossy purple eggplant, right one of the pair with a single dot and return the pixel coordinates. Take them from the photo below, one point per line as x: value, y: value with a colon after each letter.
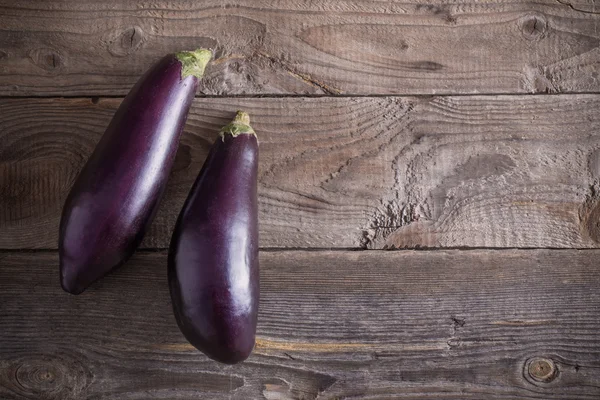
x: 213, y: 256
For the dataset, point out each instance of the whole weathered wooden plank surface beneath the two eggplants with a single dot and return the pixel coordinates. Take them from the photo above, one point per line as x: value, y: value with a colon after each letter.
x: 465, y: 135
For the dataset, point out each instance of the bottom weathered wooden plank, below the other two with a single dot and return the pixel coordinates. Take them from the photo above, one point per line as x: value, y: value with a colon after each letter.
x: 333, y: 325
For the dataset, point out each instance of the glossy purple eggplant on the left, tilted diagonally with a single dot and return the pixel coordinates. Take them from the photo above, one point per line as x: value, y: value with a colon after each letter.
x: 117, y: 193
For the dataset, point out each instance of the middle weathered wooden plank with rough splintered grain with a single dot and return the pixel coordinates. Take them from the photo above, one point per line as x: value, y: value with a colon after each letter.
x: 507, y: 171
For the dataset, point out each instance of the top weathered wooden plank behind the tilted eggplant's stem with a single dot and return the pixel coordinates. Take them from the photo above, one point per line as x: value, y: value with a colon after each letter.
x: 78, y: 47
